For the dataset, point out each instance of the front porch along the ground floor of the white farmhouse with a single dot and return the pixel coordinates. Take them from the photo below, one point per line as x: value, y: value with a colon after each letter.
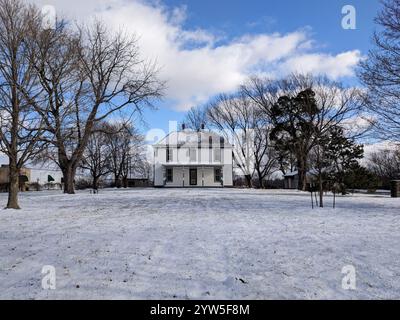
x: 193, y: 176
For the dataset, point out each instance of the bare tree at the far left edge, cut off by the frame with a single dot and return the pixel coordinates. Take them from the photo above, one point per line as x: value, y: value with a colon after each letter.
x: 21, y: 127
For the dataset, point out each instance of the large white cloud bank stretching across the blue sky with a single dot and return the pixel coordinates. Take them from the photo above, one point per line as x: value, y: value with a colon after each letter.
x: 196, y: 64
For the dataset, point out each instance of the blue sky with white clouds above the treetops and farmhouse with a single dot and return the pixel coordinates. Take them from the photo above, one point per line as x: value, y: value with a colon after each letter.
x: 205, y: 47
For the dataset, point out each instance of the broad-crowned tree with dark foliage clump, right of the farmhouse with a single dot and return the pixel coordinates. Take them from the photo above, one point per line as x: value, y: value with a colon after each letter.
x: 331, y: 104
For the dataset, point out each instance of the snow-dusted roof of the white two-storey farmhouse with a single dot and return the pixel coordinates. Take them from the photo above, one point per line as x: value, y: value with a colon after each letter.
x: 192, y: 138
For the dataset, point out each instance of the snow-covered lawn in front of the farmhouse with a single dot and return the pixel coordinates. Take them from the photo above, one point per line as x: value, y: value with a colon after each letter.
x: 199, y: 244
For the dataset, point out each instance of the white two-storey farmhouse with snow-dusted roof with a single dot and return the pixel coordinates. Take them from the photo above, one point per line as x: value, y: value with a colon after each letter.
x: 193, y: 159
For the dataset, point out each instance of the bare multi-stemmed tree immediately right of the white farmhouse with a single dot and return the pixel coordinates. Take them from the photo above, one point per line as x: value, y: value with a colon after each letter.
x: 246, y: 124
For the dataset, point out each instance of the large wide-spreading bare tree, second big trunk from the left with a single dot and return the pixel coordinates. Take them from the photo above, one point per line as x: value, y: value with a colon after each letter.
x: 89, y: 76
